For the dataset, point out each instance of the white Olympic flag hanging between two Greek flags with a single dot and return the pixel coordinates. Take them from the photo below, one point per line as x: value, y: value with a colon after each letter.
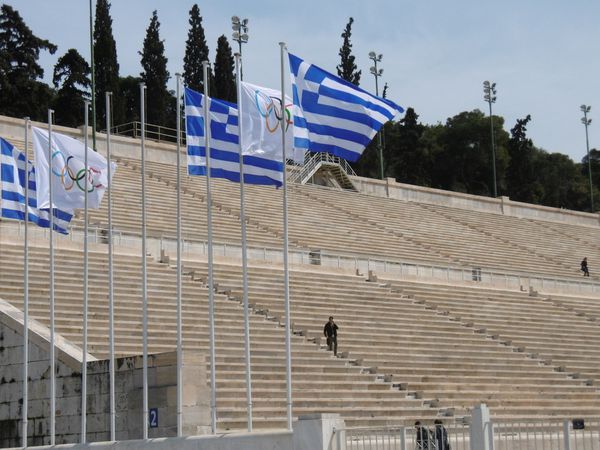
x: 261, y: 122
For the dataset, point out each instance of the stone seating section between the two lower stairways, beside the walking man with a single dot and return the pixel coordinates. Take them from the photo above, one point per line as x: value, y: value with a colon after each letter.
x: 382, y: 328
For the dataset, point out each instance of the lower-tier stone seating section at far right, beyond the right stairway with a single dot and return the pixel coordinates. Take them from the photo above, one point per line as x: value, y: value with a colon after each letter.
x: 510, y: 319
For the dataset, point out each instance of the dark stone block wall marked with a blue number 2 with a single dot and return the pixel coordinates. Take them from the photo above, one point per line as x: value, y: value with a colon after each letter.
x: 128, y: 390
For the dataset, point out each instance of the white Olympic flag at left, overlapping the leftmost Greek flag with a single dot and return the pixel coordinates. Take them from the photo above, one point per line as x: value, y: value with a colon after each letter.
x: 70, y: 177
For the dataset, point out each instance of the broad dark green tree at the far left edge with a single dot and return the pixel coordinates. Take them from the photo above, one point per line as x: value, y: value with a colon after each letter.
x: 21, y: 94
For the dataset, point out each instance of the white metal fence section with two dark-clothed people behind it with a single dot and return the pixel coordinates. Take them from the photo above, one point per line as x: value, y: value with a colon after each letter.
x: 446, y: 436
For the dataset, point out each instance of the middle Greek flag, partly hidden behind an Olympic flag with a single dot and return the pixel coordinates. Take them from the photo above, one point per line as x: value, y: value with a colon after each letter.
x: 224, y: 144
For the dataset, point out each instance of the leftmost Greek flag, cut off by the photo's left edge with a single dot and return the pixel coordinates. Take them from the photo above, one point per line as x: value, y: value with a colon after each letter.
x: 13, y: 168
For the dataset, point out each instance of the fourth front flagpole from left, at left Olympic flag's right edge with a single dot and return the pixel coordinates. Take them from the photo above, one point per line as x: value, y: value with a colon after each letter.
x: 111, y: 303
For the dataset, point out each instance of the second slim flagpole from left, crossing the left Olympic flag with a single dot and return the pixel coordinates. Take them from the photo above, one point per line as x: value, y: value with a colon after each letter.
x: 52, y: 337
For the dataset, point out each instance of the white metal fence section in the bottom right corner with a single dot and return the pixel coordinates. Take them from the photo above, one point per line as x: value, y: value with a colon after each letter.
x: 555, y: 434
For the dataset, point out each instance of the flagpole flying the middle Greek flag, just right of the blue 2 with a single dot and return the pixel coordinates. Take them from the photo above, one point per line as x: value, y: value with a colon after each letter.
x: 179, y: 304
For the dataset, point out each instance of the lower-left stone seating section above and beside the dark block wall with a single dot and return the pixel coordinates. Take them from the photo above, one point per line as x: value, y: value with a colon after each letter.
x: 313, y: 370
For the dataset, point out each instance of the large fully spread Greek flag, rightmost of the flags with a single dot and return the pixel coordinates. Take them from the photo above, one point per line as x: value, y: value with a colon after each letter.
x: 333, y: 115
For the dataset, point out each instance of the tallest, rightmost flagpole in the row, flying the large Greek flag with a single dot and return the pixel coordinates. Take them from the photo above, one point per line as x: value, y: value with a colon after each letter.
x: 286, y: 275
